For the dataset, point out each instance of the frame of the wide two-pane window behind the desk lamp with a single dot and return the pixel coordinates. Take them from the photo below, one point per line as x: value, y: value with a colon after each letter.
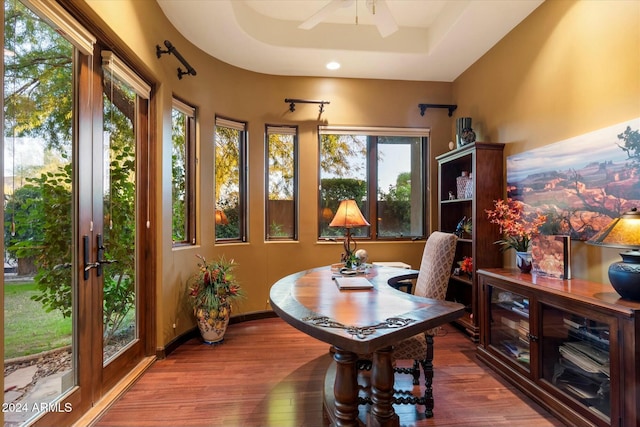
x: 372, y: 134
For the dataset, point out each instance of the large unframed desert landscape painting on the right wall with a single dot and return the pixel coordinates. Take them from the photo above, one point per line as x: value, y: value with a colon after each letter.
x: 581, y: 183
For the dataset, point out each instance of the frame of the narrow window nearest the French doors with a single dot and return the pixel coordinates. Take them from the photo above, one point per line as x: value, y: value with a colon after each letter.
x: 191, y: 162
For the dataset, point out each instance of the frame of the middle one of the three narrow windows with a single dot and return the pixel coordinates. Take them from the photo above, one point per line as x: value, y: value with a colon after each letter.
x: 243, y: 193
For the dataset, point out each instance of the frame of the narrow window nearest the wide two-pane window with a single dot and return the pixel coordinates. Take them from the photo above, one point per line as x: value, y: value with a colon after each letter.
x: 282, y: 130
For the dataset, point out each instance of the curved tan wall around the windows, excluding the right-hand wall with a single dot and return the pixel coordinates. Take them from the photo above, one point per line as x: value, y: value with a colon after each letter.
x: 136, y: 27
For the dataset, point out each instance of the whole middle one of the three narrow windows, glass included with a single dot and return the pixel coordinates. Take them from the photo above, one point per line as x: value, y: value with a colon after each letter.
x: 230, y: 180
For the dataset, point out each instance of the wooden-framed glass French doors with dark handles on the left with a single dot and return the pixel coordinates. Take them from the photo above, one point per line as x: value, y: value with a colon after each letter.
x: 77, y: 223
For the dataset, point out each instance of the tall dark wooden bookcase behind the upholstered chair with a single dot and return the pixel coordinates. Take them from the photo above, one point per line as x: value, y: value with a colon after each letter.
x: 468, y: 198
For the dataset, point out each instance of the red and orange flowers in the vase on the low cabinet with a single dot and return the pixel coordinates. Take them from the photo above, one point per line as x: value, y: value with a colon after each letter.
x: 517, y: 226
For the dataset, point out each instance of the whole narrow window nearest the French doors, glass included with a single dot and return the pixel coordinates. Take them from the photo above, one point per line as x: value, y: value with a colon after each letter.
x: 183, y: 163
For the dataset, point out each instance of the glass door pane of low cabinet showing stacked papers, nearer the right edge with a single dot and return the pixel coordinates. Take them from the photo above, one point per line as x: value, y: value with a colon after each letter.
x: 575, y: 358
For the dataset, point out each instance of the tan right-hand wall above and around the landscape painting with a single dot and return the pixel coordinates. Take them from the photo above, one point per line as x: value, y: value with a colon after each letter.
x: 570, y: 68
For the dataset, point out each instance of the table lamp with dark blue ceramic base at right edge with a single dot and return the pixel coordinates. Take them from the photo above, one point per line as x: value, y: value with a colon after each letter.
x: 623, y: 232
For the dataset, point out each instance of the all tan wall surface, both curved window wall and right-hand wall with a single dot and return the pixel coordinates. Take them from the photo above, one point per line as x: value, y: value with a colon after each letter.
x: 570, y: 68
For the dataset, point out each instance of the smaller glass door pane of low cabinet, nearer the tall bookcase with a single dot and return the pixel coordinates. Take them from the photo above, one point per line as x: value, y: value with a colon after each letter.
x: 509, y: 325
